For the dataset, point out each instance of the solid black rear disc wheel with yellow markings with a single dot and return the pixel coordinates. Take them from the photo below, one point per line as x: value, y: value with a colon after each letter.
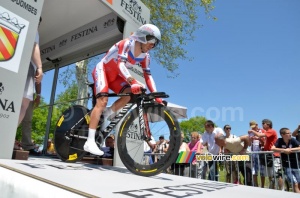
x: 69, y: 143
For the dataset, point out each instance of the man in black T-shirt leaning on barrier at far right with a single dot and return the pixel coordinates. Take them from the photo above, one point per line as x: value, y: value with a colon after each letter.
x: 286, y: 145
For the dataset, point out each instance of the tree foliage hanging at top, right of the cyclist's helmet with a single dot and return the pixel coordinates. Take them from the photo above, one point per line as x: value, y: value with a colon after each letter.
x: 177, y: 21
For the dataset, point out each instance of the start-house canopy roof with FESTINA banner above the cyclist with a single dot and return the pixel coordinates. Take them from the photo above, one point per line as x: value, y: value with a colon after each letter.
x: 73, y: 30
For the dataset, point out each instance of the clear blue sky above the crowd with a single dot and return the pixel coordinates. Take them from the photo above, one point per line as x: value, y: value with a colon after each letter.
x: 245, y: 66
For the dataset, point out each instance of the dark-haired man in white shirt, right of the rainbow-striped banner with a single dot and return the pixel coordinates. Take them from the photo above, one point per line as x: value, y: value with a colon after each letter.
x: 208, y: 139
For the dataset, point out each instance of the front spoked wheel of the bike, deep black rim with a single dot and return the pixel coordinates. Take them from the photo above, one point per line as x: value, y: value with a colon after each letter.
x: 131, y: 145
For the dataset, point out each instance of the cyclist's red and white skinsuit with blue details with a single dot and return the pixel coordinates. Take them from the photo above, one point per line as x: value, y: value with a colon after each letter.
x: 112, y: 73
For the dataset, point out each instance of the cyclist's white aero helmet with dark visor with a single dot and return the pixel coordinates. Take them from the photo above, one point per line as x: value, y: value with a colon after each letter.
x: 147, y: 33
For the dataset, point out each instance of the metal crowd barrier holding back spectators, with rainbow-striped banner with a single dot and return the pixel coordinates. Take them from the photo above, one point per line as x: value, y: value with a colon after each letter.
x: 183, y: 167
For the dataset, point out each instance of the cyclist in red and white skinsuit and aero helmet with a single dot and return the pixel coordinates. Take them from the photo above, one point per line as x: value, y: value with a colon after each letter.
x: 112, y: 73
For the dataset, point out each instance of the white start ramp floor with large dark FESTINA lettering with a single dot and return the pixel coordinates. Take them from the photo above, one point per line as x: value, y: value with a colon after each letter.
x: 45, y: 177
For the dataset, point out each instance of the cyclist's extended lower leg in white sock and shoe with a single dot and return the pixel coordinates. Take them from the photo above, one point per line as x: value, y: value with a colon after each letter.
x: 90, y: 145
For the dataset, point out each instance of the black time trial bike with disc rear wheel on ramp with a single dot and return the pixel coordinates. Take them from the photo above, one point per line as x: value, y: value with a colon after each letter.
x: 142, y: 119
